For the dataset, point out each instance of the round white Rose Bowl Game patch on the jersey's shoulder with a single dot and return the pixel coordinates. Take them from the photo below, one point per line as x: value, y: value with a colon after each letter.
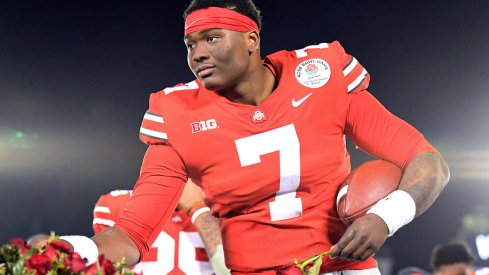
x: 313, y: 73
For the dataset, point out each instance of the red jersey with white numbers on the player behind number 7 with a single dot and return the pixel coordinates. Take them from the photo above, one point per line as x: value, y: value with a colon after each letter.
x: 177, y: 250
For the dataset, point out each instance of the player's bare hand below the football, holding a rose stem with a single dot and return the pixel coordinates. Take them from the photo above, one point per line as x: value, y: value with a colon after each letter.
x: 361, y: 239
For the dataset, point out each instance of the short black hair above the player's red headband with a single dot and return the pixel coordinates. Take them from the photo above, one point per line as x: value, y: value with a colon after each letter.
x: 245, y: 7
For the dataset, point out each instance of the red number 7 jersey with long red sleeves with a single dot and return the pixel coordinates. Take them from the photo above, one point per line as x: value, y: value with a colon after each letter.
x: 269, y: 172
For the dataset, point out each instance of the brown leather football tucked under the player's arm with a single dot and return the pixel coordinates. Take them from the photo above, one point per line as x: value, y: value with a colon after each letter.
x: 364, y: 186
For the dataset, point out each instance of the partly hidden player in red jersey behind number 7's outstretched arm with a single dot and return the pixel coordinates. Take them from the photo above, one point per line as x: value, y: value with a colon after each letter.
x: 179, y: 248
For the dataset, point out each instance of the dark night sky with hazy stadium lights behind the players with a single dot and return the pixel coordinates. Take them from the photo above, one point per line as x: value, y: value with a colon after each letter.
x: 75, y: 78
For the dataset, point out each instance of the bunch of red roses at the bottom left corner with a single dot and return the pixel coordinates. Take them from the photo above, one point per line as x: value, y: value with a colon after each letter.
x: 19, y: 258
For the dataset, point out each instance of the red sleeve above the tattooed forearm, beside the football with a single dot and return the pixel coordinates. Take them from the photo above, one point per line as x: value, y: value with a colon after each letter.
x: 378, y: 132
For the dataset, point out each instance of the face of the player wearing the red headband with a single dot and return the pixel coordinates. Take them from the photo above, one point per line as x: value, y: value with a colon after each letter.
x: 218, y: 58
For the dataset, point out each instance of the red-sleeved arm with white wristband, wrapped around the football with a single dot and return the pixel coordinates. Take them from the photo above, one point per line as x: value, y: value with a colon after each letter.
x: 425, y: 173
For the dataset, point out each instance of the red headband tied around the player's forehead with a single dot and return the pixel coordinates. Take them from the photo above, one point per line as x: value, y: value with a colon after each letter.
x: 218, y: 18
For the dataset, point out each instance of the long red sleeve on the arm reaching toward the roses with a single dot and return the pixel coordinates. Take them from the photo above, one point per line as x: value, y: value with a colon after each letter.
x: 154, y: 197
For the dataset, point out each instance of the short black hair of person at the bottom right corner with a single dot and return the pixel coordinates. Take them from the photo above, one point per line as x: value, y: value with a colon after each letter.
x: 451, y: 254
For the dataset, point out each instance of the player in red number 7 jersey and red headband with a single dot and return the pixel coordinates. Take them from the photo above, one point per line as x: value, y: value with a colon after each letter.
x: 265, y: 139
